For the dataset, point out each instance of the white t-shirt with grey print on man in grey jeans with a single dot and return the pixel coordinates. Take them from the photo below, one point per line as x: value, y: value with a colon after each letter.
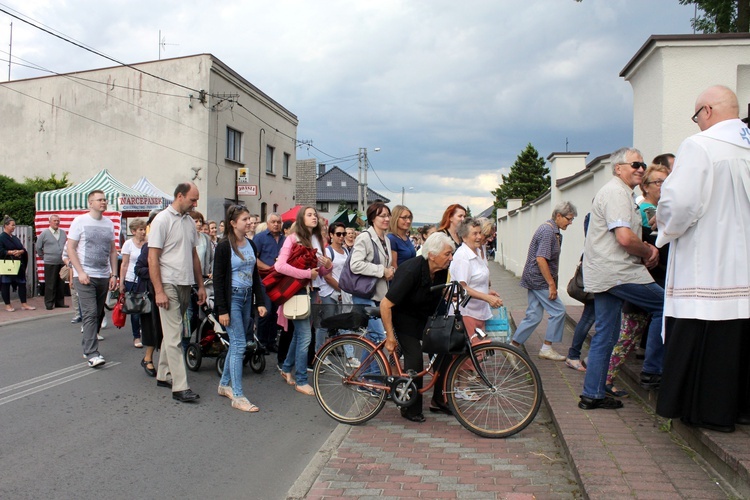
x: 94, y: 239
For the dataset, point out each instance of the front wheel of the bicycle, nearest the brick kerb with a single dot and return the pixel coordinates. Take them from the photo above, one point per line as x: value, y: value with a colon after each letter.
x: 508, y: 405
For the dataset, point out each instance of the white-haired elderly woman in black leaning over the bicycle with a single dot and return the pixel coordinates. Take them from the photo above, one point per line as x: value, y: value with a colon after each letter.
x: 406, y: 307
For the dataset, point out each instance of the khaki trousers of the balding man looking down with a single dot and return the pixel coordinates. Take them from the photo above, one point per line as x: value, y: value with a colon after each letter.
x: 171, y: 358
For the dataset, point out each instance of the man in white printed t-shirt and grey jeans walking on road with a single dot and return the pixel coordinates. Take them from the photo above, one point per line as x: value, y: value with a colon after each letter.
x: 92, y: 251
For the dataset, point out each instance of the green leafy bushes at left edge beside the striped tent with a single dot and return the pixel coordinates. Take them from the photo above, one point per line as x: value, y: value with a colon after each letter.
x: 17, y: 199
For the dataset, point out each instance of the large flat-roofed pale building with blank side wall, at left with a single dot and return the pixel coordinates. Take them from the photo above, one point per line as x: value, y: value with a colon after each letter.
x: 173, y: 120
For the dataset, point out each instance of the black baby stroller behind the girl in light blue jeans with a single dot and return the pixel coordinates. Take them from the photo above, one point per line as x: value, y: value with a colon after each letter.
x: 210, y: 340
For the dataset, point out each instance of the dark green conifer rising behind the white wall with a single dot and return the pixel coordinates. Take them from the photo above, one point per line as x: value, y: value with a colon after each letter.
x: 528, y: 179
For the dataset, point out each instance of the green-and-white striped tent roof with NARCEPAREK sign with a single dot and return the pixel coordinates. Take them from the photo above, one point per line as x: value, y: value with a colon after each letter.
x: 121, y: 198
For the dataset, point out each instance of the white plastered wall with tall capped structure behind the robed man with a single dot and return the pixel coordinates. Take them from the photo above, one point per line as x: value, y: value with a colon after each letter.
x: 667, y: 74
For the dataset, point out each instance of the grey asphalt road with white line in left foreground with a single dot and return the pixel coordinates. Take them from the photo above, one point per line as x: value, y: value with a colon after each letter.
x: 69, y: 431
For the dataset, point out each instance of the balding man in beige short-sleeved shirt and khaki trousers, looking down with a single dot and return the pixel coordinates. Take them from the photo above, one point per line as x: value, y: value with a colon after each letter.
x: 174, y: 267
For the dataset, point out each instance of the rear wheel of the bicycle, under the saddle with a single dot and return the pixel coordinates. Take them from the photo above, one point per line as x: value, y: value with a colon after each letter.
x: 346, y: 402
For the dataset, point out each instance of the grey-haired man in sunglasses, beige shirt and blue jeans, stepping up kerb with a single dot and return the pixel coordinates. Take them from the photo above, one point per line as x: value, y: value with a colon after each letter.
x: 615, y: 269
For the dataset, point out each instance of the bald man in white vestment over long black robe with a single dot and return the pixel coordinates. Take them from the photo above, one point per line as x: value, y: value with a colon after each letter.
x: 704, y: 214
